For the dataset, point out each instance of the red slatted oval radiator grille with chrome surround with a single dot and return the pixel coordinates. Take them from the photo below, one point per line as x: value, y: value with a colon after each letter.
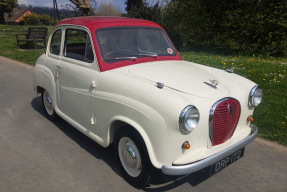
x: 224, y: 120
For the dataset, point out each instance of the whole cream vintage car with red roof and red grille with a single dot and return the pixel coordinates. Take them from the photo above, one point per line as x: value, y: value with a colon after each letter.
x: 121, y: 81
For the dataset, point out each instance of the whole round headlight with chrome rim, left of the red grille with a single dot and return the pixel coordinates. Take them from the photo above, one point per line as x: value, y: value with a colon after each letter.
x: 188, y: 119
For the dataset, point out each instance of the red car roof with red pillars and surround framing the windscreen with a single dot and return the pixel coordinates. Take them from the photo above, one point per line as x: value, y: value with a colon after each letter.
x: 93, y: 23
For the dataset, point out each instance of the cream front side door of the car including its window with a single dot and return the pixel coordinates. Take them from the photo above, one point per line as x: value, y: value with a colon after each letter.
x: 77, y: 74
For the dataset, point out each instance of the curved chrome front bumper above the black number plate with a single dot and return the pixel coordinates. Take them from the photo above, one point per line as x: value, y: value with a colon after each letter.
x: 193, y: 167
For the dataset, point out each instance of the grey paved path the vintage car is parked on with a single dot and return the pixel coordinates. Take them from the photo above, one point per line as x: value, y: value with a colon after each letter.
x: 37, y: 155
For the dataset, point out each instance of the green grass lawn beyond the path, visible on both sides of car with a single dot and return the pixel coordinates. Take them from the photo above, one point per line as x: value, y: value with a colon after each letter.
x: 268, y: 72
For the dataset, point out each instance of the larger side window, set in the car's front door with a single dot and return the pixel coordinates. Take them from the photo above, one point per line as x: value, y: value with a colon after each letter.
x: 78, y: 45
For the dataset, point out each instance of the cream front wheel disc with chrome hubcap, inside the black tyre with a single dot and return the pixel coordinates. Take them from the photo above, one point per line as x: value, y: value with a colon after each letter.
x: 129, y: 156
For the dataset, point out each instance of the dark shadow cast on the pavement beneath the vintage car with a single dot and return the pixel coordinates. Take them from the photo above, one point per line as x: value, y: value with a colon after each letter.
x: 161, y: 183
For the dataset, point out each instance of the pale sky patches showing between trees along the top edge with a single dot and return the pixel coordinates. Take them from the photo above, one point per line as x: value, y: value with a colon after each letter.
x: 61, y: 3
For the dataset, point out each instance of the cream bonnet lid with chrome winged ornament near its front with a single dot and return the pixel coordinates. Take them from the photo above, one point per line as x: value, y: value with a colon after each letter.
x: 182, y: 76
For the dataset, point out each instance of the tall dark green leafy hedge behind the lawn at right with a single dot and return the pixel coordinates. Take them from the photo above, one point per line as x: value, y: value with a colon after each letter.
x: 229, y: 27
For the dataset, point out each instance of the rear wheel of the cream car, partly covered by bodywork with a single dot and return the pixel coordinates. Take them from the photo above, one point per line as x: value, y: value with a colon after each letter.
x: 48, y: 105
